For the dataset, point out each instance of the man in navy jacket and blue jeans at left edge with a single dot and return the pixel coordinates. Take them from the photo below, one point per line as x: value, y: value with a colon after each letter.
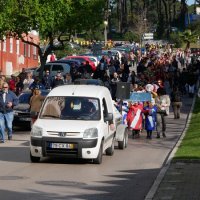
x: 8, y: 99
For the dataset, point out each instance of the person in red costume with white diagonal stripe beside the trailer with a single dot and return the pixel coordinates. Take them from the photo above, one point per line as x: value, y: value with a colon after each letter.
x: 134, y: 118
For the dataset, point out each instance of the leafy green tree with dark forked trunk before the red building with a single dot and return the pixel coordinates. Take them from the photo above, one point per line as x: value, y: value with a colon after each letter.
x: 52, y: 19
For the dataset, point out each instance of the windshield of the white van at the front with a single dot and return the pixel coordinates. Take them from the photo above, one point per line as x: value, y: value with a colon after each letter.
x: 71, y: 108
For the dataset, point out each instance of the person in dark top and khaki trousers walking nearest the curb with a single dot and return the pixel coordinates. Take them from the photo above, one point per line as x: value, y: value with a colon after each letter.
x: 176, y: 99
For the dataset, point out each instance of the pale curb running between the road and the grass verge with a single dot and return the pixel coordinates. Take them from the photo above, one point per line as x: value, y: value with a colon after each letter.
x: 169, y: 158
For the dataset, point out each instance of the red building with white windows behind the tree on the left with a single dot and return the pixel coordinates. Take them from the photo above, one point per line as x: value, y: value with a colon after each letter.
x: 15, y: 54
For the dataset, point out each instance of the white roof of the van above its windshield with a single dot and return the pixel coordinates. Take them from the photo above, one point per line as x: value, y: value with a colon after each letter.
x: 80, y: 90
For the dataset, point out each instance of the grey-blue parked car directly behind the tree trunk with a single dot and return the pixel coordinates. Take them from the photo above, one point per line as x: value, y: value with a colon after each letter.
x: 53, y: 67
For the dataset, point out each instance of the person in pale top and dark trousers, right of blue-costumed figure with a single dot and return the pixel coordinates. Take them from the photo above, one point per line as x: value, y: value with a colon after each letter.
x: 163, y: 103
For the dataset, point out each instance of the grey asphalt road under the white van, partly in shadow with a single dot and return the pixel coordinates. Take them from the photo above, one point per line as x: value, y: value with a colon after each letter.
x: 128, y: 174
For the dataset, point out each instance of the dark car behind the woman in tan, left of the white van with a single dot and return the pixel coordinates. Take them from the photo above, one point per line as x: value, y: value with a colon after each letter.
x: 22, y: 110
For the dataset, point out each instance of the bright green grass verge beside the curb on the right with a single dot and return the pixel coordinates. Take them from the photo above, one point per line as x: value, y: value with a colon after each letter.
x: 189, y: 148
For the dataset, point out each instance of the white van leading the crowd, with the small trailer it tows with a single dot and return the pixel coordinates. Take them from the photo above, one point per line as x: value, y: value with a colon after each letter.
x: 77, y: 121
